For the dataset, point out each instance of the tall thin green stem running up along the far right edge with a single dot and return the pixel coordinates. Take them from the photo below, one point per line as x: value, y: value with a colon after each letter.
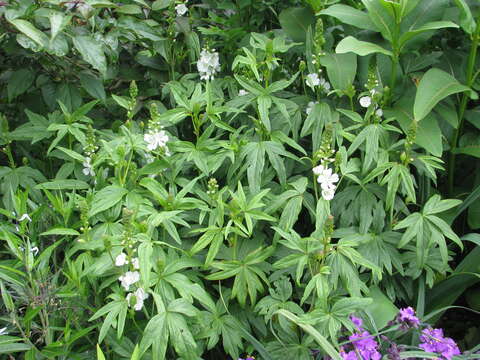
x: 463, y: 106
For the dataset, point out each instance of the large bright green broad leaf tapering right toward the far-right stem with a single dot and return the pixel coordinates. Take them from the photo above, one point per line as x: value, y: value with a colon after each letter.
x: 435, y: 85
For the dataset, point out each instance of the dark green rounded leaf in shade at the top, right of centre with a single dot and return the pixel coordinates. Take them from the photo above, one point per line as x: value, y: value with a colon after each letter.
x: 295, y: 22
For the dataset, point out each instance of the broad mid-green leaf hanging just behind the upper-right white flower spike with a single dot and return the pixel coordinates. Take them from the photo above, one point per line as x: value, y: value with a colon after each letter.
x: 341, y: 69
